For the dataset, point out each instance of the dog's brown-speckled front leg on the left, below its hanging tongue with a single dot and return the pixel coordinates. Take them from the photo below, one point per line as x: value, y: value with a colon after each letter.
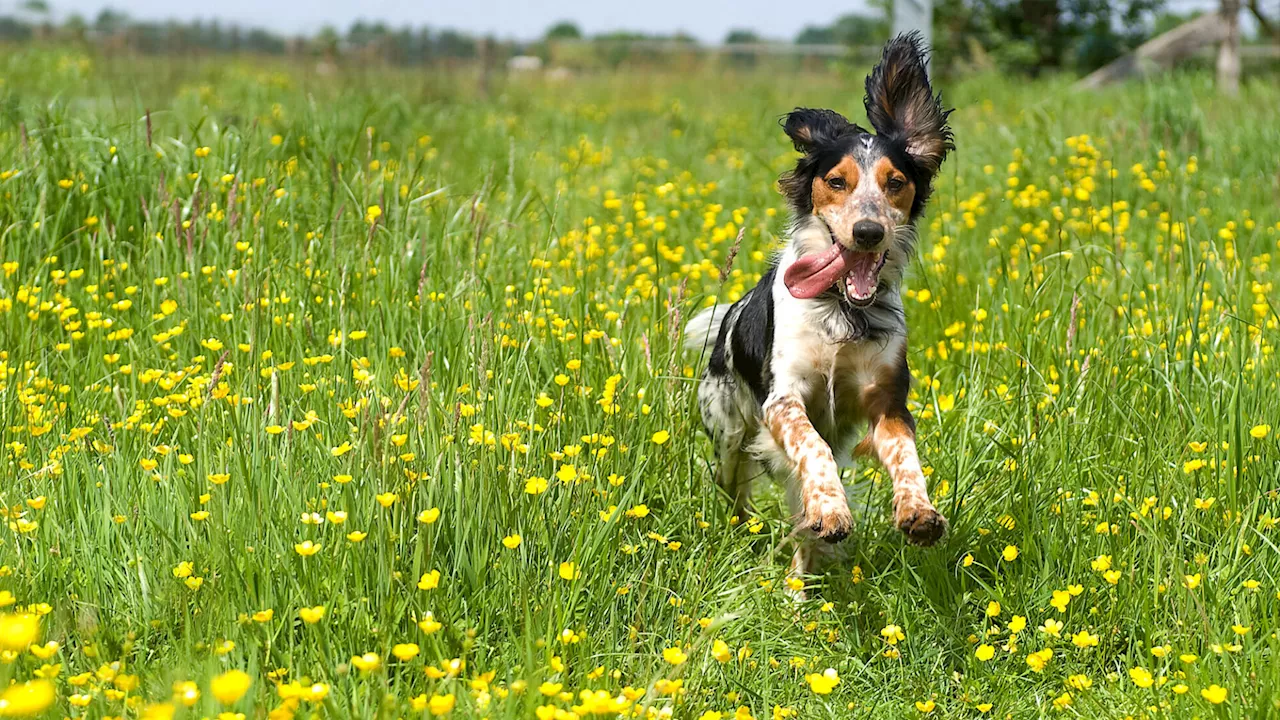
x: 824, y: 508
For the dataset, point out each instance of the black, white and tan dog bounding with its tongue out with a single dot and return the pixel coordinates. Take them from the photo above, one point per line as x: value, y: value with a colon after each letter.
x: 819, y: 348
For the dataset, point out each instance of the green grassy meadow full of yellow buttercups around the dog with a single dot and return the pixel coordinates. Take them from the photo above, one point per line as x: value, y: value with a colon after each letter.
x: 363, y: 395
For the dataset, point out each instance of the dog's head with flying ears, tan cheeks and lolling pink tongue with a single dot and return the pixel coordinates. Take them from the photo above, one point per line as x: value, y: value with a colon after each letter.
x: 867, y: 189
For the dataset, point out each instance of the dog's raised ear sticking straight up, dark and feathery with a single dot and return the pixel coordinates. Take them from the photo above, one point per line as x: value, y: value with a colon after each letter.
x: 902, y: 106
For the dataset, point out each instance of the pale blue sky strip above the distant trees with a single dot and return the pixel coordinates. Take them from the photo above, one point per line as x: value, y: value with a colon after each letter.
x: 515, y: 20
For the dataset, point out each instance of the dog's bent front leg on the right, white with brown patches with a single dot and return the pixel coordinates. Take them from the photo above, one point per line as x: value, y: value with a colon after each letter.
x: 893, y: 440
